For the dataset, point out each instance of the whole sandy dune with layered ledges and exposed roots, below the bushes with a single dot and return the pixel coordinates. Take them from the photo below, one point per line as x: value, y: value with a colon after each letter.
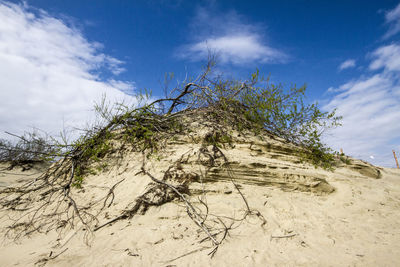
x: 202, y: 199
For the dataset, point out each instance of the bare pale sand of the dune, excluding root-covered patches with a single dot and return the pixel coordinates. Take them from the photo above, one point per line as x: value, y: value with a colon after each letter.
x: 349, y: 217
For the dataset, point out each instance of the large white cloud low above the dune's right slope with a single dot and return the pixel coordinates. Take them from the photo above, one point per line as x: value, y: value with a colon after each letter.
x: 370, y: 107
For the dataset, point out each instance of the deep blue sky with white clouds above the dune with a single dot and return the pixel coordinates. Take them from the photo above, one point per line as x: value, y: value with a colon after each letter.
x: 57, y: 58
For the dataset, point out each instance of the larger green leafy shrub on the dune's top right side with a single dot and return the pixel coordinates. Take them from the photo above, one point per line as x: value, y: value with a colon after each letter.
x: 258, y: 105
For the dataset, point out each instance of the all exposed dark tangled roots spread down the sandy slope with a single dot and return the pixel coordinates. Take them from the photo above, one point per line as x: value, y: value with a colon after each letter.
x: 57, y: 207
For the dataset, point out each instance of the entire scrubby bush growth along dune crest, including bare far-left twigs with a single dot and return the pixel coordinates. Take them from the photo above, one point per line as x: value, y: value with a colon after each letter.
x: 255, y: 104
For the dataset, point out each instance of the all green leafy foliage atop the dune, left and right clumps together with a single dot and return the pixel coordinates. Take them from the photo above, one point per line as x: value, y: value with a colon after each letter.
x: 256, y: 105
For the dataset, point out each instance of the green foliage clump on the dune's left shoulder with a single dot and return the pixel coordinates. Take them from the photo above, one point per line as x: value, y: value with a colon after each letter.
x: 141, y: 128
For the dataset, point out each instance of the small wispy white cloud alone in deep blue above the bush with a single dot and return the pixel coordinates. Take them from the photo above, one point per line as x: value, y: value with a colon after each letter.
x: 230, y: 38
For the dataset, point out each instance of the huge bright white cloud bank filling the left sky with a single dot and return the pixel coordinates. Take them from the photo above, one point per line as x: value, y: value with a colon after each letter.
x: 50, y: 72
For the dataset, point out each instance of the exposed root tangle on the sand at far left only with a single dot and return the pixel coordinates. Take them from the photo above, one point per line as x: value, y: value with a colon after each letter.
x: 55, y: 207
